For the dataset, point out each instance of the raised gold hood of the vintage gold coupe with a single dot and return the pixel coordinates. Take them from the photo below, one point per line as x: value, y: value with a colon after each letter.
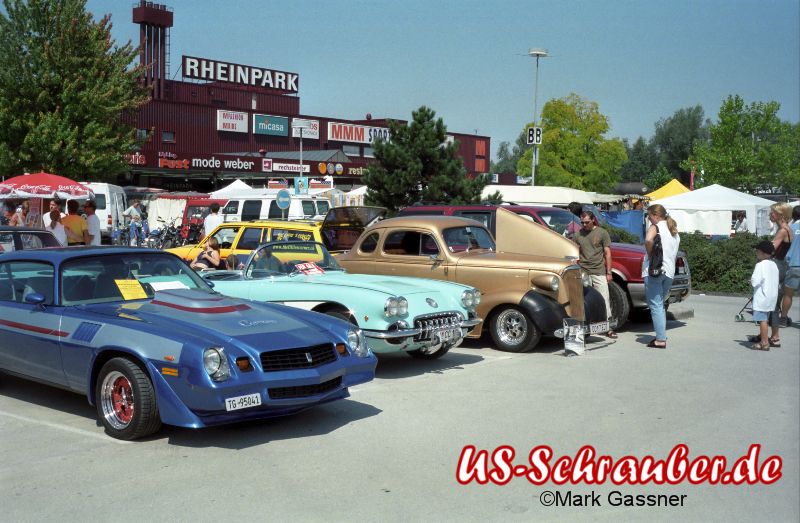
x: 519, y: 235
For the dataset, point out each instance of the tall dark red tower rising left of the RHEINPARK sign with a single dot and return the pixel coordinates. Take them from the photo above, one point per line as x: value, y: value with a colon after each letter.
x: 154, y: 22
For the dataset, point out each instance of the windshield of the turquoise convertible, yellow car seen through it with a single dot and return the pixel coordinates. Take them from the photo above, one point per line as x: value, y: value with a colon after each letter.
x: 279, y: 258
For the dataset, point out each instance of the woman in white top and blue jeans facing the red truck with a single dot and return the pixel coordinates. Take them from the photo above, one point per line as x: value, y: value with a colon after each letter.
x: 656, y: 288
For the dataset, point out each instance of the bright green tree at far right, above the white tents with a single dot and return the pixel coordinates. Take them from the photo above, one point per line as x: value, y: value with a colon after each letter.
x: 750, y: 148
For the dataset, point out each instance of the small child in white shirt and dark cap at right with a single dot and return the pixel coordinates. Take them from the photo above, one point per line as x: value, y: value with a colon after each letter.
x: 765, y: 292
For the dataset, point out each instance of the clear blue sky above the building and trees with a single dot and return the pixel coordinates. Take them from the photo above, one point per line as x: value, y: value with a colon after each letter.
x: 639, y: 60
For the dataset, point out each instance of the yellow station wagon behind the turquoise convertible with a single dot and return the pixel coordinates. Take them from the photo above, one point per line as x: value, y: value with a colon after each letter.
x: 241, y: 238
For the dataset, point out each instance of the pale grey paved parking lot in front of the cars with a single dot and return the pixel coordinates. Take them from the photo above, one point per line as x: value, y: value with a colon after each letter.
x: 390, y: 451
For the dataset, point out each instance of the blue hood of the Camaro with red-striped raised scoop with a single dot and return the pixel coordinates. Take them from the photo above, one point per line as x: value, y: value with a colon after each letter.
x: 183, y: 314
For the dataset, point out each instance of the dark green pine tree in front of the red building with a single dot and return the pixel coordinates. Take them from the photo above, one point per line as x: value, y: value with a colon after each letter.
x: 418, y: 164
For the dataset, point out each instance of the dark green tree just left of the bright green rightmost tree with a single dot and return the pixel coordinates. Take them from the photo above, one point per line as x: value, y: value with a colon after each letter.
x: 675, y: 137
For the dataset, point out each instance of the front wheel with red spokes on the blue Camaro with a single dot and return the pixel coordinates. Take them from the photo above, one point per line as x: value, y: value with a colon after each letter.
x: 126, y: 401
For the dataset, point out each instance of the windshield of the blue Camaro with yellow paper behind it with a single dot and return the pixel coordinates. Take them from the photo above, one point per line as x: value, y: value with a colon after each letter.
x: 123, y: 277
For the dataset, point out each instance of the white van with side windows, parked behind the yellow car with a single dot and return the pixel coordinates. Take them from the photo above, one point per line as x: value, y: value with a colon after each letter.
x: 247, y: 208
